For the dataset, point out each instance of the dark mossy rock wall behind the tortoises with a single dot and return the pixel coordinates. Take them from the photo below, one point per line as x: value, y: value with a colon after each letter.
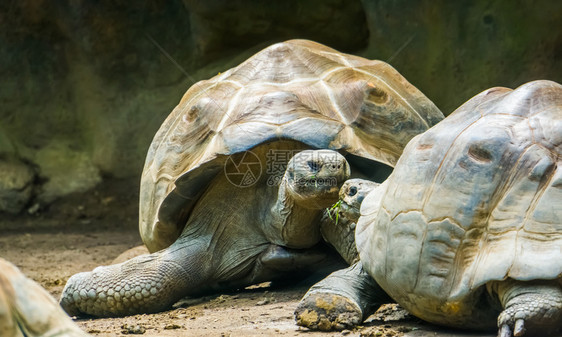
x: 84, y: 85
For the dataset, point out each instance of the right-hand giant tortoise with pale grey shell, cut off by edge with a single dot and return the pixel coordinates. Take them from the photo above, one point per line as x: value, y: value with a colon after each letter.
x: 467, y: 230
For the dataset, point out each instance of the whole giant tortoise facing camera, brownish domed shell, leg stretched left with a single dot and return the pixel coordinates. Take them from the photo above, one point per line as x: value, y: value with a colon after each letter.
x: 221, y: 205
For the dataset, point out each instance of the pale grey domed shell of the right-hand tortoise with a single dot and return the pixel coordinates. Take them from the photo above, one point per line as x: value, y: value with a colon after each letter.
x: 474, y: 199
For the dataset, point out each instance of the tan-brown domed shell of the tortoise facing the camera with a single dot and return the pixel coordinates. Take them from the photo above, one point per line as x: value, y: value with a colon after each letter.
x: 297, y: 90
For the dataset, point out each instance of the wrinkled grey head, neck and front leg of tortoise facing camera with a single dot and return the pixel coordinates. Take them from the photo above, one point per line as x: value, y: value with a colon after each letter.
x: 235, y: 237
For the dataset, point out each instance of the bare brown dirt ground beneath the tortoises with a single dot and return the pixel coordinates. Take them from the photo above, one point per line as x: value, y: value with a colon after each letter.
x: 86, y: 230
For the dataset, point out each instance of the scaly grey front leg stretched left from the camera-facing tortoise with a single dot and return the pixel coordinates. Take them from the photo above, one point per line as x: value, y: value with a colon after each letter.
x: 147, y: 283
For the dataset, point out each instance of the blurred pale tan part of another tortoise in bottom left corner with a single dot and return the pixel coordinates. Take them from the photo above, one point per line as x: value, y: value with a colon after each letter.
x: 26, y: 309
